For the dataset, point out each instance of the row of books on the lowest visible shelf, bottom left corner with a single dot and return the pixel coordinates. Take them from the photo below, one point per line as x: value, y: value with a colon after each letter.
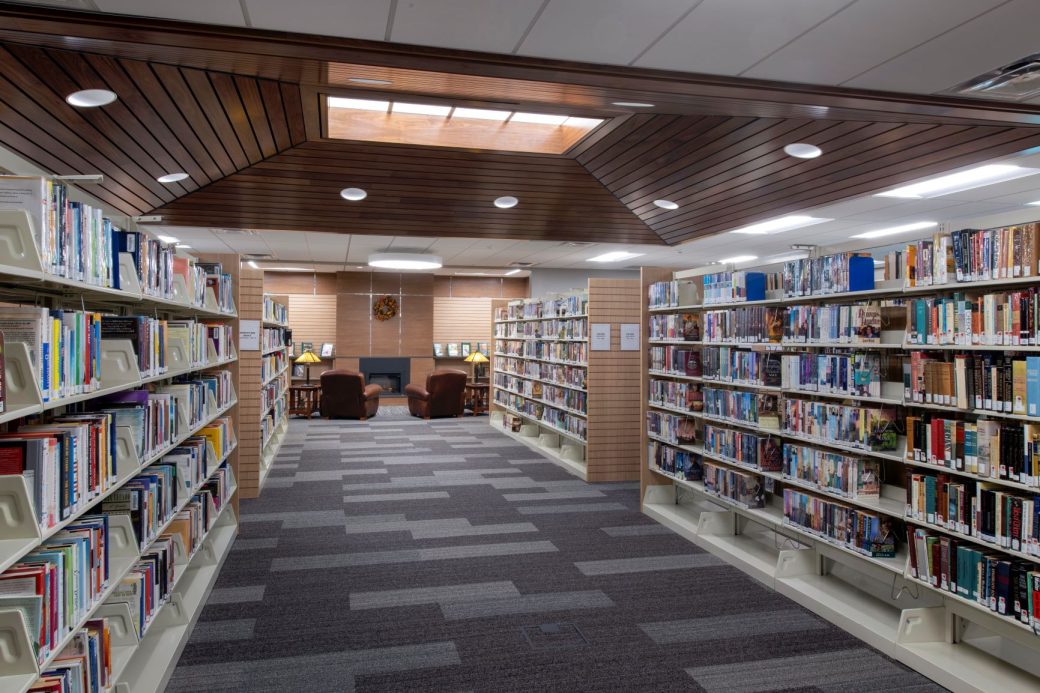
x: 84, y: 665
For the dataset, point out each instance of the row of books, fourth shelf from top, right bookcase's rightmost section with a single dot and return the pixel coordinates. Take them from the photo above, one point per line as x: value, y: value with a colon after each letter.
x: 994, y: 450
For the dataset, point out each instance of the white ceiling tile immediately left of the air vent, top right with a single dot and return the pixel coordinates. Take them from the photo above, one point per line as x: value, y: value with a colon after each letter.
x: 994, y: 40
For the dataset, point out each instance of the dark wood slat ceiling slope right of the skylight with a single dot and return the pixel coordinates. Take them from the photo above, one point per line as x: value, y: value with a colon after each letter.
x: 730, y: 172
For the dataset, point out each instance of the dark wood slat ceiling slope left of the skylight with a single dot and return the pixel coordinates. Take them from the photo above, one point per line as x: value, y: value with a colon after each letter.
x: 167, y: 120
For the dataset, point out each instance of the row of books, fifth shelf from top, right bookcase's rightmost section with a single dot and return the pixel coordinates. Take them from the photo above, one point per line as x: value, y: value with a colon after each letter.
x: 991, y: 514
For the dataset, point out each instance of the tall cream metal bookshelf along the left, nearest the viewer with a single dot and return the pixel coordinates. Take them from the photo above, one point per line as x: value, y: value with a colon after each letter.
x: 193, y: 377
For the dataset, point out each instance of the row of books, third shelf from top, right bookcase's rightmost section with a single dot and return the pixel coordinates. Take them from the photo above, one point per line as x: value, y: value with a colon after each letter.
x: 984, y: 382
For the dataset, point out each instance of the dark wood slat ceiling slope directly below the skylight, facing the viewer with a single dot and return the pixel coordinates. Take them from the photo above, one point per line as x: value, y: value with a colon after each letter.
x: 414, y: 191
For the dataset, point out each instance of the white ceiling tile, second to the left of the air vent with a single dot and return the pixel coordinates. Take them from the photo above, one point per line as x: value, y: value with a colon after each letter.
x: 865, y: 36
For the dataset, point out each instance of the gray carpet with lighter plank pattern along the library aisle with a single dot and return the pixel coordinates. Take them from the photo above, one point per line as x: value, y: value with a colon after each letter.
x: 401, y: 555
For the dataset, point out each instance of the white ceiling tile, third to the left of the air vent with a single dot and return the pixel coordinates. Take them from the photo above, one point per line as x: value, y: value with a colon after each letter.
x: 729, y: 37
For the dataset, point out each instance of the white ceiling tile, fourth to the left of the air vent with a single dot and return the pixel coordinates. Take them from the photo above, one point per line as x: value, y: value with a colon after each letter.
x: 609, y: 32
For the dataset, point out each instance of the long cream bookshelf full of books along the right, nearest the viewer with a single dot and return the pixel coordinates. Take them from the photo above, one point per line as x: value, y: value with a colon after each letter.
x: 712, y: 471
